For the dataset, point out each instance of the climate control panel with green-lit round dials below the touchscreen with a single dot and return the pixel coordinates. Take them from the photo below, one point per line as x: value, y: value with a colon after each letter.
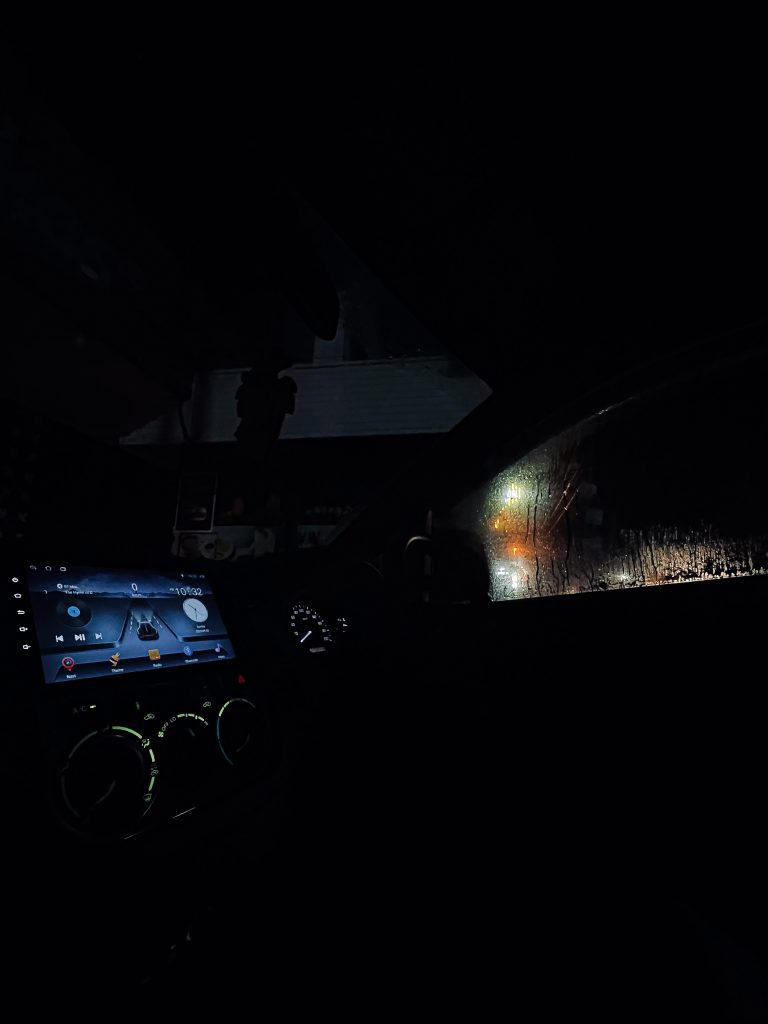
x: 121, y: 763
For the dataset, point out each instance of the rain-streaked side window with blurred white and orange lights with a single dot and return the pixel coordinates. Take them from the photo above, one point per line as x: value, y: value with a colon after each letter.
x: 667, y: 488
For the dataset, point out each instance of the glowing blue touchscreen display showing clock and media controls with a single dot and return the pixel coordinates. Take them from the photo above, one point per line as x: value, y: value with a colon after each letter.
x: 94, y: 623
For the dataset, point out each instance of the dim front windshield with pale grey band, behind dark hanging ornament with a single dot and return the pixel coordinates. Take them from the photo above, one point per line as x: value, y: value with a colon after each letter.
x: 348, y: 412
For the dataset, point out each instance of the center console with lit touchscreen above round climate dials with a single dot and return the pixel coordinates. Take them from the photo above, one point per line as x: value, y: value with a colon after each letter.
x: 146, y: 712
